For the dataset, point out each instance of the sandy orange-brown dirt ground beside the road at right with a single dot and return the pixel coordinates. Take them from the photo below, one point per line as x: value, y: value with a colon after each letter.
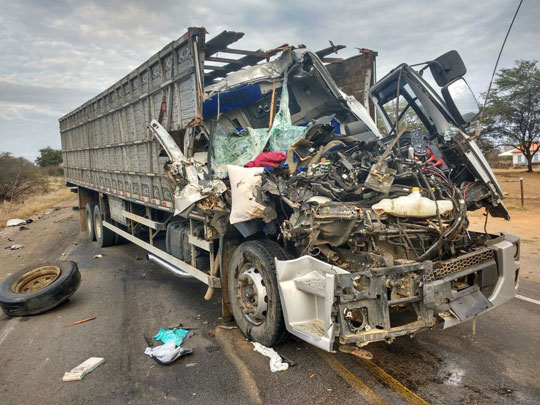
x: 524, y: 222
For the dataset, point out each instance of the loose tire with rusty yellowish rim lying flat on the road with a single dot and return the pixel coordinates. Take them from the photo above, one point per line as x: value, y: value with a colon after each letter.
x: 14, y: 301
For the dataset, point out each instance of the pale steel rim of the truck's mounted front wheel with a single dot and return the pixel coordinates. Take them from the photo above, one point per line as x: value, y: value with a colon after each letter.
x: 252, y: 294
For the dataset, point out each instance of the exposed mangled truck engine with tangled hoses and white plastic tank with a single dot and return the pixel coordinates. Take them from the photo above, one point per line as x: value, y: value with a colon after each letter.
x: 326, y: 199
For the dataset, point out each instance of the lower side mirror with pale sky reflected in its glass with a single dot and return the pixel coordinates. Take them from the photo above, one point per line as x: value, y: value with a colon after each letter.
x: 460, y: 101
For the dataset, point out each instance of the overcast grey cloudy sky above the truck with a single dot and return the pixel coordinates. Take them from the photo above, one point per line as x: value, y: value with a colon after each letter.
x: 57, y: 54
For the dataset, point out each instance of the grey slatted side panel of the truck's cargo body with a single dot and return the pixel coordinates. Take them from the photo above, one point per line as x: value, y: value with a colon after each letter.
x: 106, y: 143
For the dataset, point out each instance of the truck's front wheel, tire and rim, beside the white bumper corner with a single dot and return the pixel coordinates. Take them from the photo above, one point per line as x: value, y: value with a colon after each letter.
x: 253, y: 291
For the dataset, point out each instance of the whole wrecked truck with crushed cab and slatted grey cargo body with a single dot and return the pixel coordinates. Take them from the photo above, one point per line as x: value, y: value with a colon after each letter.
x: 258, y: 175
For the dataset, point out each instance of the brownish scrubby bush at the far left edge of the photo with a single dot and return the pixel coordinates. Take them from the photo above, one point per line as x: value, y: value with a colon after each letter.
x: 18, y: 177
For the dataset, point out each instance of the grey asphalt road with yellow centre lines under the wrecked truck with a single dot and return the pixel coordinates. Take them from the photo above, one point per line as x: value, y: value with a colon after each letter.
x: 132, y: 297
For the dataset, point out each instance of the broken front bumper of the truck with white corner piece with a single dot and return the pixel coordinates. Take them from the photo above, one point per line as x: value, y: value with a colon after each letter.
x: 322, y: 302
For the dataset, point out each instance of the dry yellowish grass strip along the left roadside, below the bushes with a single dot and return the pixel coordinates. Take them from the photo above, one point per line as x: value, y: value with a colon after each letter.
x: 36, y: 203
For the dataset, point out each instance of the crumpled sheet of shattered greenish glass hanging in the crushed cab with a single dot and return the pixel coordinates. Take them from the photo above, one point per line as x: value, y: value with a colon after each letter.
x: 231, y: 147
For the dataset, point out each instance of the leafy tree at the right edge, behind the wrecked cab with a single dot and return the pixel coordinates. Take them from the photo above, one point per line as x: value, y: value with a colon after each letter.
x: 512, y: 114
